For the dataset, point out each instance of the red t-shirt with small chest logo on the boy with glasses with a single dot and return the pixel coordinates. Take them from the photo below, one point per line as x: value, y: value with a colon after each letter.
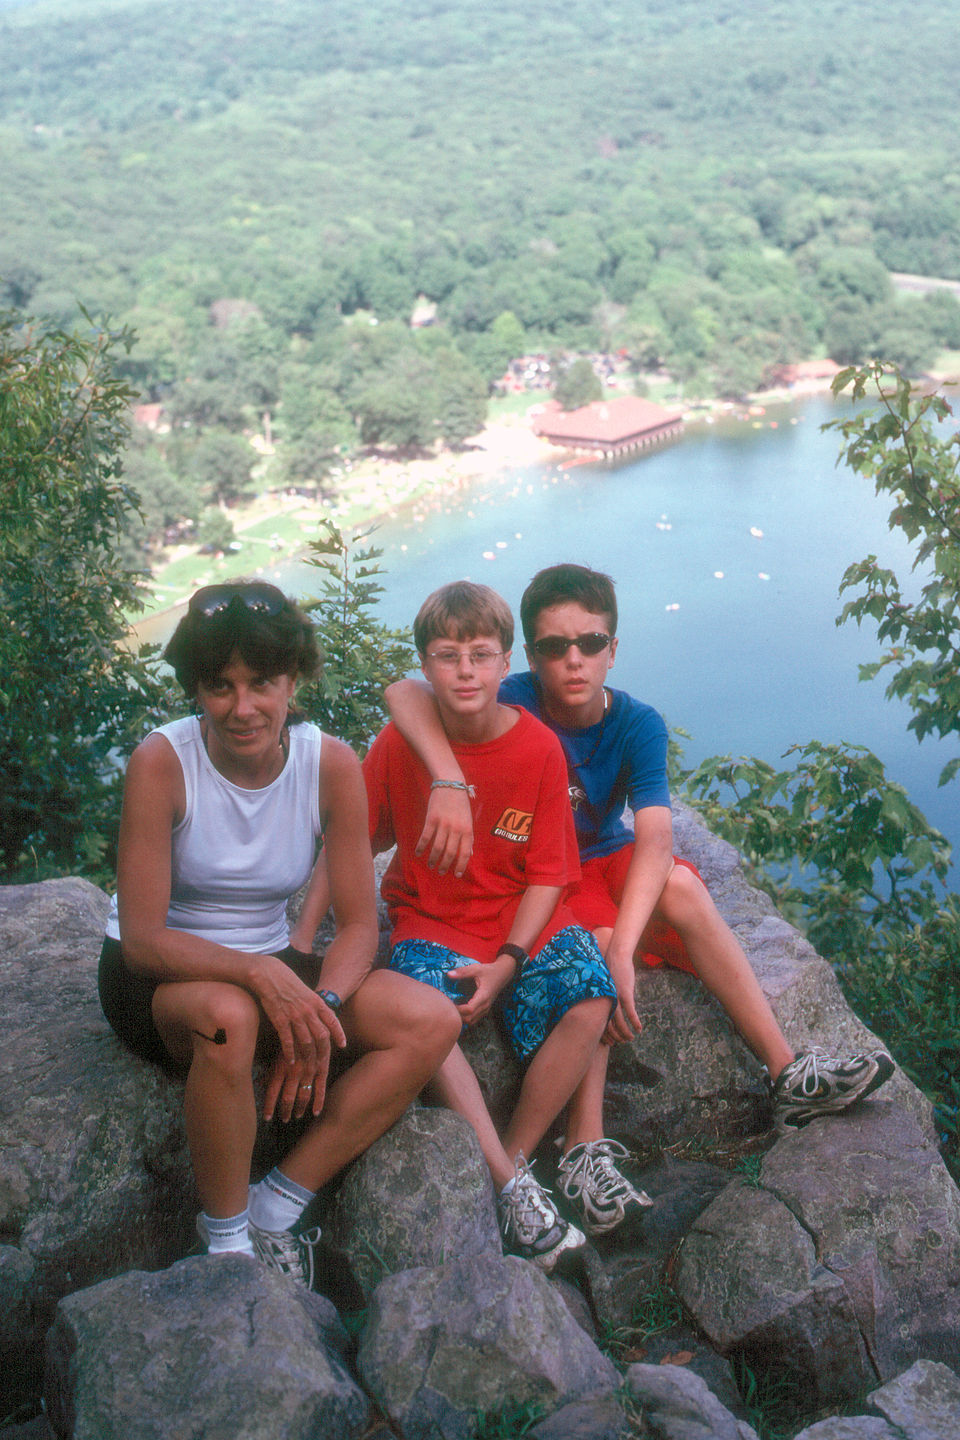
x: 523, y: 836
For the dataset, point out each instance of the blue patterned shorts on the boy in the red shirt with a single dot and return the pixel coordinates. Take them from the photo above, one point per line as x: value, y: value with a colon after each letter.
x: 569, y: 970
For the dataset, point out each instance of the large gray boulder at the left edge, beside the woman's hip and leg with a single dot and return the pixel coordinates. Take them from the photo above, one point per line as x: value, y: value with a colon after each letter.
x: 94, y: 1170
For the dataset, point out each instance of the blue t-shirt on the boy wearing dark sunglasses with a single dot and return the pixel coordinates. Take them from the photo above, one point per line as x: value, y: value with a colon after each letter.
x: 618, y: 762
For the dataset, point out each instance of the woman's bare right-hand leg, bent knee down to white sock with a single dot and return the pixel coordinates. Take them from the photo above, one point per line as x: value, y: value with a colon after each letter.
x: 405, y: 1030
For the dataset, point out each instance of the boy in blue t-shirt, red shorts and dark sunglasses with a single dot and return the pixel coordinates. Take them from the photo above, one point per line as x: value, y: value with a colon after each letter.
x: 640, y: 901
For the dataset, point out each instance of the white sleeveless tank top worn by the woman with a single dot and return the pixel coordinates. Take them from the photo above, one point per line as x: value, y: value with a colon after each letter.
x: 238, y: 856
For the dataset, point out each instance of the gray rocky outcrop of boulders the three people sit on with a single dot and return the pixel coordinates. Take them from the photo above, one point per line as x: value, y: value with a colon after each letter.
x: 836, y: 1254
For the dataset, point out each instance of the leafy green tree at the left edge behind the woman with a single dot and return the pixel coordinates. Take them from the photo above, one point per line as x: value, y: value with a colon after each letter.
x: 70, y: 688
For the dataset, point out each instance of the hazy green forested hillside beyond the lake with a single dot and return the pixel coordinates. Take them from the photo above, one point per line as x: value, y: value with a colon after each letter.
x: 713, y: 188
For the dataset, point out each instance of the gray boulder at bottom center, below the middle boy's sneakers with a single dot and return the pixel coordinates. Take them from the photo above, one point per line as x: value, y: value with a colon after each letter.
x: 474, y: 1336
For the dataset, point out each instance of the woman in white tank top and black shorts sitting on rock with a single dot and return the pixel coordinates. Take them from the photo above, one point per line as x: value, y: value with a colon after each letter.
x: 222, y: 819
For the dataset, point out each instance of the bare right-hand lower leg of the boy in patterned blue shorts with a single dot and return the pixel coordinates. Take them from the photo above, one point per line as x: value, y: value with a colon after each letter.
x: 555, y: 1074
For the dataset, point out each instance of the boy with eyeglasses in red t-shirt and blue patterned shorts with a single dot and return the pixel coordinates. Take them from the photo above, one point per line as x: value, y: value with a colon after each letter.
x: 499, y: 934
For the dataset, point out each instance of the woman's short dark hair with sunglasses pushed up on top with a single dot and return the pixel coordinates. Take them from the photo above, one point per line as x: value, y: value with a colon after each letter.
x: 255, y: 620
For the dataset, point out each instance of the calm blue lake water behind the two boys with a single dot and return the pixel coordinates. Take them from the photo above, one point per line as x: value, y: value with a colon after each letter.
x: 728, y: 546
